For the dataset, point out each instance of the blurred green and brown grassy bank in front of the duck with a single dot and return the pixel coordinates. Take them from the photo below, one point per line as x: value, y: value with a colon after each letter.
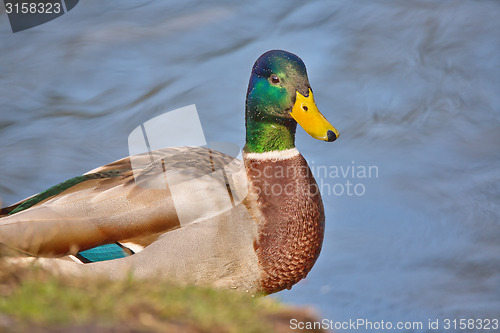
x: 32, y: 299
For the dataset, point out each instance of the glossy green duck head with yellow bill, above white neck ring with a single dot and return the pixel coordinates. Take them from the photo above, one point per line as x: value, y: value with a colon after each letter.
x: 279, y: 96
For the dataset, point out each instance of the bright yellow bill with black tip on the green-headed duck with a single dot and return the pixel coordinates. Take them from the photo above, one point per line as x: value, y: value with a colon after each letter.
x: 306, y: 114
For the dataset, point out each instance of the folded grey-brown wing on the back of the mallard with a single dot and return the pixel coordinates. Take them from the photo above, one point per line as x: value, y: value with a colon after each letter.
x: 129, y: 200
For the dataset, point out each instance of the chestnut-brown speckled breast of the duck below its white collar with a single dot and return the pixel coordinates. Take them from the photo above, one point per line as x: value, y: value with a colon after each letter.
x: 292, y: 221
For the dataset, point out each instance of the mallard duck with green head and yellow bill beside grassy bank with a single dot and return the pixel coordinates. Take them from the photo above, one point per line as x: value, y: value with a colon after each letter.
x: 112, y: 222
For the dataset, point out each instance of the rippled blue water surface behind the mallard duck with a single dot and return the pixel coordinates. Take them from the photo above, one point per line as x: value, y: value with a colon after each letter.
x: 413, y: 87
